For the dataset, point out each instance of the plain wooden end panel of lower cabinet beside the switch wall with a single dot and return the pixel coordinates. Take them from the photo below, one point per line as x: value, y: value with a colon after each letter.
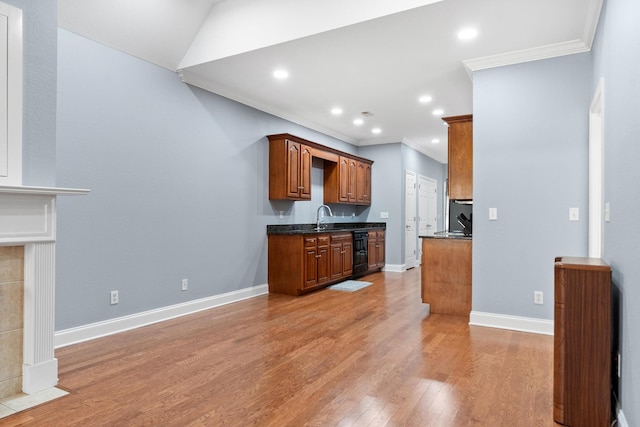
x: 446, y: 275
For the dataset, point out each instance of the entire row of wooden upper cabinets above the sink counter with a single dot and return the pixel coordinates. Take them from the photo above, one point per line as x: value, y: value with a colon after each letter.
x: 347, y: 178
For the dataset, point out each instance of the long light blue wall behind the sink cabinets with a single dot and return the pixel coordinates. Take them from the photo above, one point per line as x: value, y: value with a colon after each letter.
x: 179, y: 187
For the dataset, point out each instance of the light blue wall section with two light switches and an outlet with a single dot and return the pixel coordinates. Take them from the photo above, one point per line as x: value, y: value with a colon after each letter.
x: 530, y: 161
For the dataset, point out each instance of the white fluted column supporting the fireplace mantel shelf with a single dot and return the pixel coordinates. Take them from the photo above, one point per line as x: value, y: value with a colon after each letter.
x: 40, y: 367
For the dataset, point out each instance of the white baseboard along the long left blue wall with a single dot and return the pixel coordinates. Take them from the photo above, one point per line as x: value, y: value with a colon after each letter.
x: 113, y: 326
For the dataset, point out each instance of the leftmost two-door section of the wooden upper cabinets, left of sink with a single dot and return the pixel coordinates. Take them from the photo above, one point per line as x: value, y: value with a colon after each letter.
x: 289, y: 170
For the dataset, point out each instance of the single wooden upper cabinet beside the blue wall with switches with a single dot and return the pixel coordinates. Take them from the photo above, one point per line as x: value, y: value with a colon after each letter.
x: 460, y: 157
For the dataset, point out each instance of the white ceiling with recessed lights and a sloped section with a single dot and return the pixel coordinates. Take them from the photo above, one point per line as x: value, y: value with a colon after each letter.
x: 379, y: 58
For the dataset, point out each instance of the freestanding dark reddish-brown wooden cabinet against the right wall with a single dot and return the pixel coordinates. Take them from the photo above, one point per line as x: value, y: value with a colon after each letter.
x: 582, y: 342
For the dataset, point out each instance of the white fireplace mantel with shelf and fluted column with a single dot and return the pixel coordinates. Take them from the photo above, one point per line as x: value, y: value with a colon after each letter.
x: 28, y: 218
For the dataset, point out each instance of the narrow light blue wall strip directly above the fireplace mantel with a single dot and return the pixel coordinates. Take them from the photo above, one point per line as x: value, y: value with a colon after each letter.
x: 40, y: 23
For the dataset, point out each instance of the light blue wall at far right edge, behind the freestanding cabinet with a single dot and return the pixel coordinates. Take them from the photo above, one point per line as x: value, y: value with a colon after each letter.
x: 616, y: 60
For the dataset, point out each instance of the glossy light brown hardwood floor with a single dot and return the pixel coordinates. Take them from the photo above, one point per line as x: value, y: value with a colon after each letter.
x: 372, y: 357
